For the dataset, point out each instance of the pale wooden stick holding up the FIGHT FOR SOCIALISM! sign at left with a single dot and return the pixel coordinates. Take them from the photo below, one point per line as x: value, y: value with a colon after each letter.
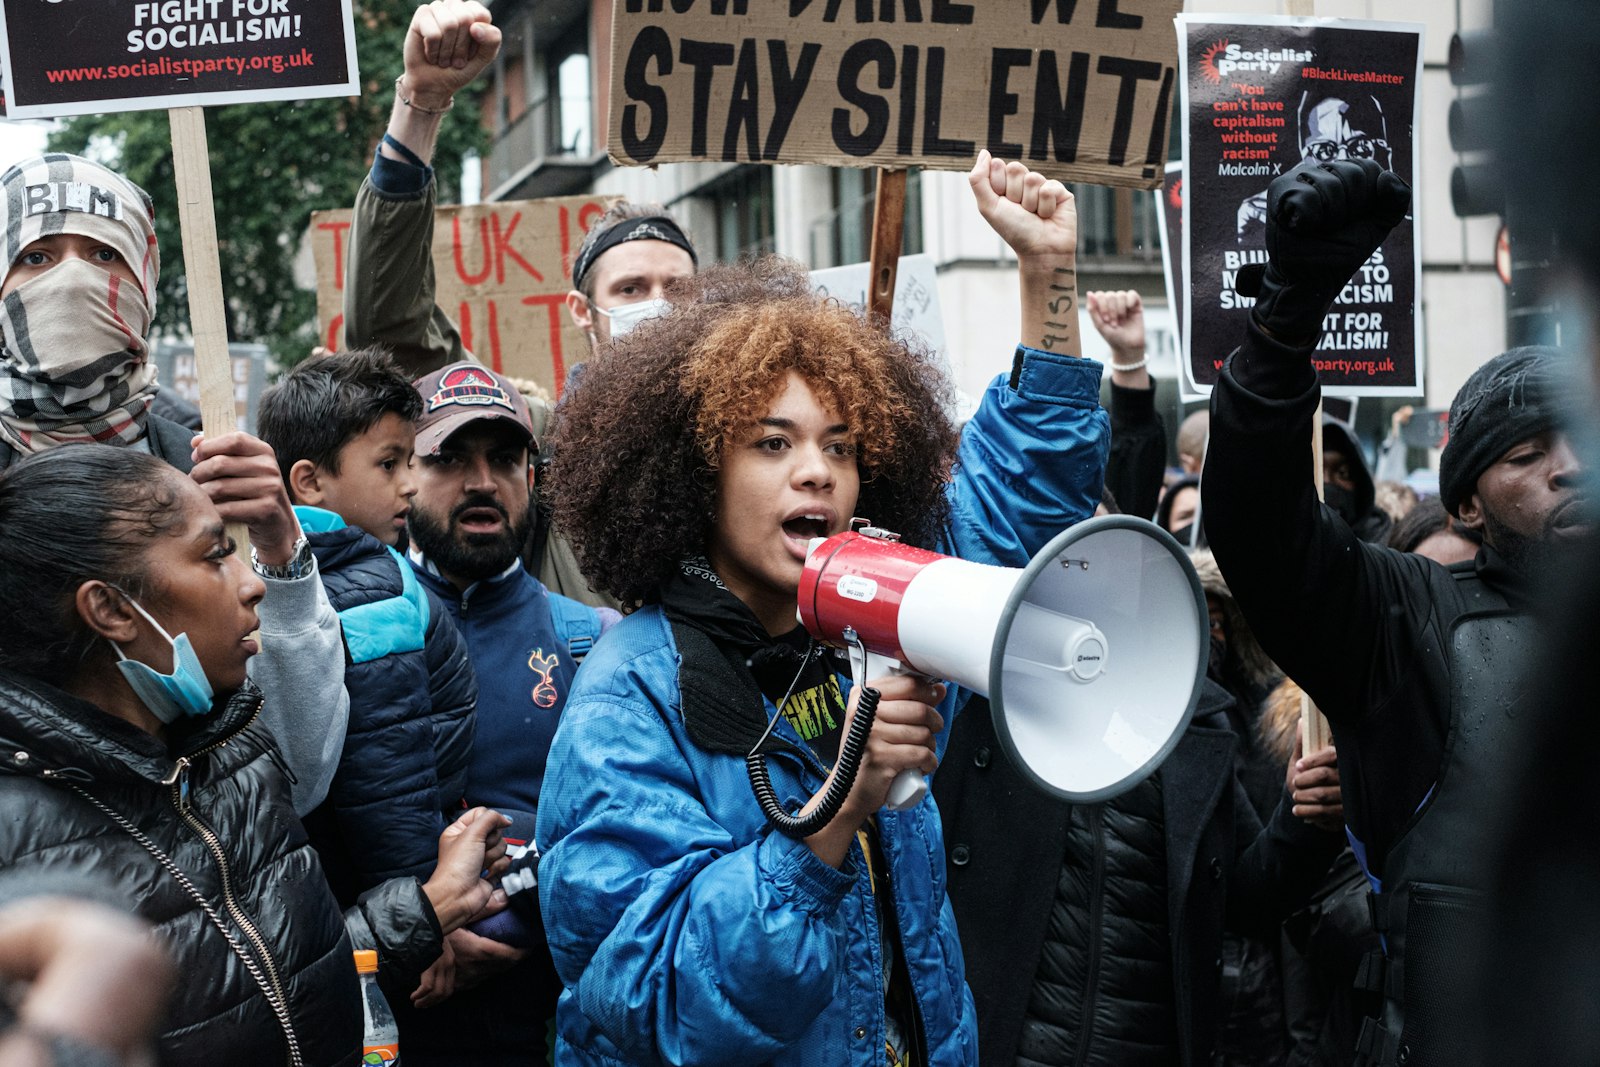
x: 204, y: 276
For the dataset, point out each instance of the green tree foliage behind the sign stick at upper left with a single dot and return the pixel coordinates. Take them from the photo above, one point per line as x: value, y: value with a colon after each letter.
x: 271, y: 167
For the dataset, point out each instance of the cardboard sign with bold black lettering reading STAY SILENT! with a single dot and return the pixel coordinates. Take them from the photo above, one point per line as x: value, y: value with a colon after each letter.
x: 1079, y: 90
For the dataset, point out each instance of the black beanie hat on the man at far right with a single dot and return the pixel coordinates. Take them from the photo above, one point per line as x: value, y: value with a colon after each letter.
x: 1506, y: 401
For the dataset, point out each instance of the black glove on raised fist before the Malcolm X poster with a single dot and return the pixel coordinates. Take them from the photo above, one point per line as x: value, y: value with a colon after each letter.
x: 1324, y: 222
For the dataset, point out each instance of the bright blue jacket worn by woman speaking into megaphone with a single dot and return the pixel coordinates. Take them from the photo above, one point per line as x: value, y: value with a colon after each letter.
x: 689, y: 933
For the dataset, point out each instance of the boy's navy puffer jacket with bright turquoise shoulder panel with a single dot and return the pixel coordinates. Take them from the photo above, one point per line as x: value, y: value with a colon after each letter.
x: 412, y: 714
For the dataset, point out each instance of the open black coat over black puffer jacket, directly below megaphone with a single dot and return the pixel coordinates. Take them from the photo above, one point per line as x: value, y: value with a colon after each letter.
x: 1006, y: 844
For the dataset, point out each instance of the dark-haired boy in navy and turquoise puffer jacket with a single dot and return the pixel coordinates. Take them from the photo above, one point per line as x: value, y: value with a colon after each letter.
x: 343, y: 433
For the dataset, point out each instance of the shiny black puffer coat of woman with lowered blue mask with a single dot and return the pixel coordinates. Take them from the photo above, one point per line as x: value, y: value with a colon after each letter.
x: 238, y: 842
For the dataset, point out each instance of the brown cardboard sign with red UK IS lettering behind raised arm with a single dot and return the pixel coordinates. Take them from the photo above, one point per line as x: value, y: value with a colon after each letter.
x: 503, y: 273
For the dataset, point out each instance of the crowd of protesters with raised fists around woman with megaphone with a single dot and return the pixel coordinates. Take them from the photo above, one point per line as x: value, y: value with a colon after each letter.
x: 487, y: 693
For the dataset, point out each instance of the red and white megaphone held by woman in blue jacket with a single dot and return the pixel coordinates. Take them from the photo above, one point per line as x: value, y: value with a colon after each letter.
x: 1092, y: 655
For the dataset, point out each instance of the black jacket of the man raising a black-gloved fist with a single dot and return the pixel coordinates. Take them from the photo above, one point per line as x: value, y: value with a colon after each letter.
x: 1364, y: 629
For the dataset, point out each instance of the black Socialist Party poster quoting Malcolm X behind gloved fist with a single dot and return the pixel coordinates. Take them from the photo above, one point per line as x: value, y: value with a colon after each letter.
x: 1265, y: 95
